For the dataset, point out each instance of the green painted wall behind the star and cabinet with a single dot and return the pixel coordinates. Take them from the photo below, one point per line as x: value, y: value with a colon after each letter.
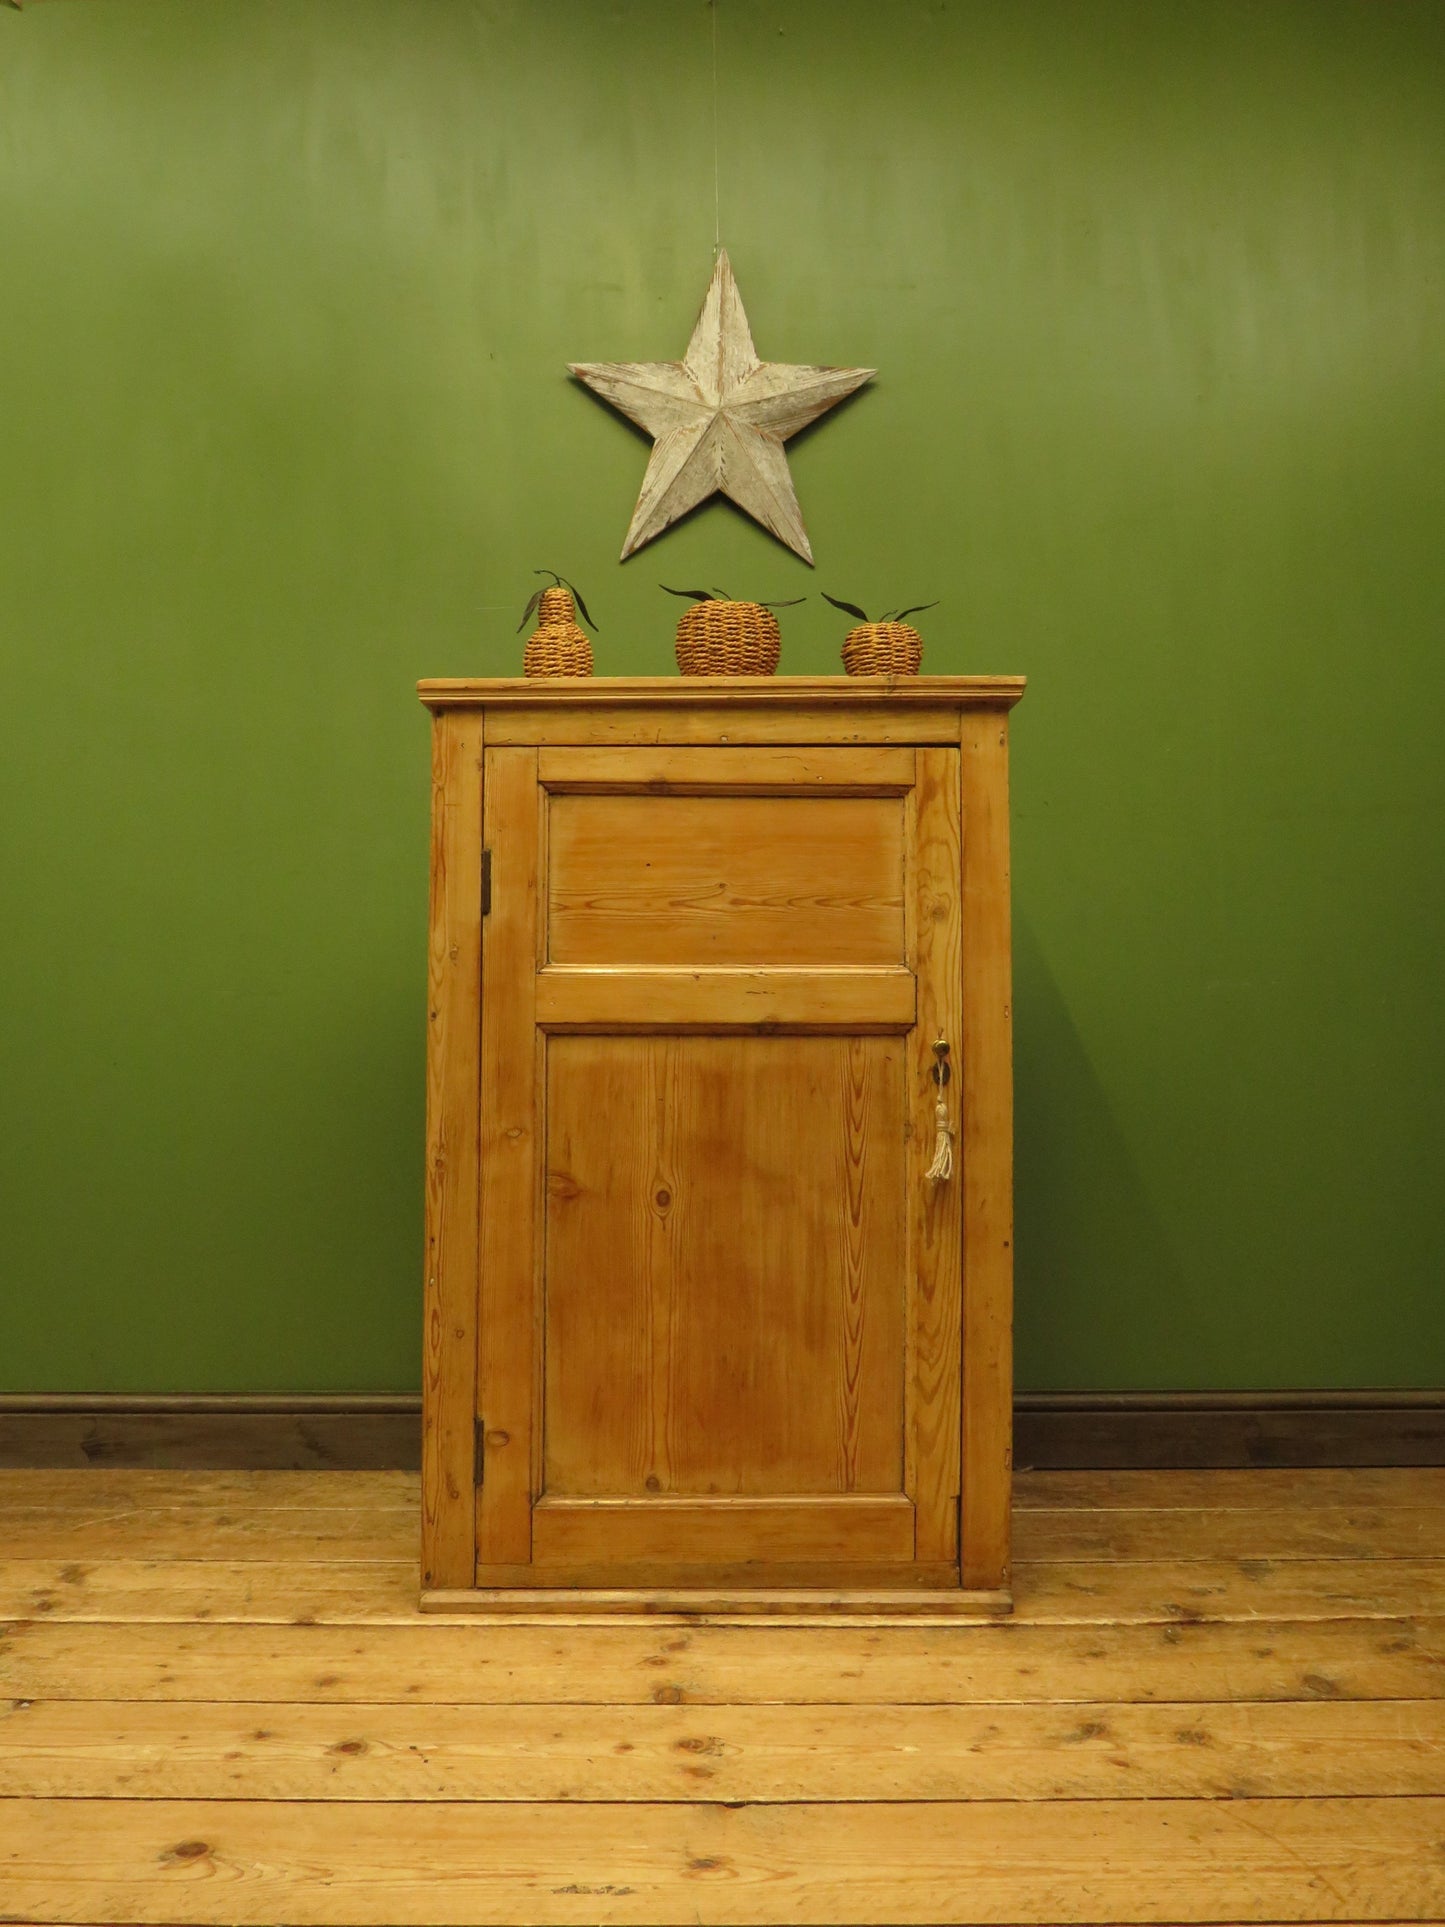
x: 1157, y: 294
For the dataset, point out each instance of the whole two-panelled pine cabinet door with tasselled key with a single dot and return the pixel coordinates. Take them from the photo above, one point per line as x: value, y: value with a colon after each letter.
x: 720, y: 1296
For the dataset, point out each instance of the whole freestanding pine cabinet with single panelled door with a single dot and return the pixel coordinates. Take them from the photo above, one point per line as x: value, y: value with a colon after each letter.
x: 702, y: 1329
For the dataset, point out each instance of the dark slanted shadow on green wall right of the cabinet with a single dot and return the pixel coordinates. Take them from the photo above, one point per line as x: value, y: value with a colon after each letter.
x: 1091, y: 1286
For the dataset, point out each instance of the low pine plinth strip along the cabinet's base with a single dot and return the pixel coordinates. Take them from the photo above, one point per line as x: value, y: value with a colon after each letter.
x: 739, y: 1604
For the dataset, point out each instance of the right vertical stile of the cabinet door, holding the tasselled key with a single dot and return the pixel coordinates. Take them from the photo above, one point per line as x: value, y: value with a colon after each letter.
x: 935, y: 1209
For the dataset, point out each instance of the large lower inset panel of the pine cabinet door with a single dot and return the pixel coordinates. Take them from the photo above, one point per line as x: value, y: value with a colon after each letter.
x: 789, y: 1379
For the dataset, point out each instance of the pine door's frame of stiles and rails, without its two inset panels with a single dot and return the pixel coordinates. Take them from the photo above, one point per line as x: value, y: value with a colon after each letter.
x: 519, y: 787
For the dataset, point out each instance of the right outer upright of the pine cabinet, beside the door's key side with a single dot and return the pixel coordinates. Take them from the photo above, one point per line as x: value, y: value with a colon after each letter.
x: 987, y: 1146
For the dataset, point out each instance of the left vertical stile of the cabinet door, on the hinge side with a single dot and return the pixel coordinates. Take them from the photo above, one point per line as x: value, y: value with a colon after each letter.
x: 512, y: 1140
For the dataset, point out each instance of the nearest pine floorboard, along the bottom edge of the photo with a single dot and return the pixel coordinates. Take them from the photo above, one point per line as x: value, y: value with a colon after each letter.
x: 824, y: 1862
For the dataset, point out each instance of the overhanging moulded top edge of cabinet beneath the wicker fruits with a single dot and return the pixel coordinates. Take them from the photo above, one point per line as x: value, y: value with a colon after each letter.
x: 716, y: 693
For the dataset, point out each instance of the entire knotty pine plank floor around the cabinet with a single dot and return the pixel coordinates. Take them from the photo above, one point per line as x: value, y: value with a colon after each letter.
x: 1221, y: 1699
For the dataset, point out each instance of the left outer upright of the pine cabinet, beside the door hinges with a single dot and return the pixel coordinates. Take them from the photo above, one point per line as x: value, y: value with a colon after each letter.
x: 454, y: 1013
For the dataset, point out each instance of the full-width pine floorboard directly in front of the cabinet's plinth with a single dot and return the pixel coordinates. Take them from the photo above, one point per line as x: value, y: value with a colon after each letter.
x: 637, y: 1664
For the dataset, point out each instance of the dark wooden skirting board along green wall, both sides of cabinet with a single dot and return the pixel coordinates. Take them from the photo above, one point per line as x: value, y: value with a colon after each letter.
x: 1055, y: 1431
